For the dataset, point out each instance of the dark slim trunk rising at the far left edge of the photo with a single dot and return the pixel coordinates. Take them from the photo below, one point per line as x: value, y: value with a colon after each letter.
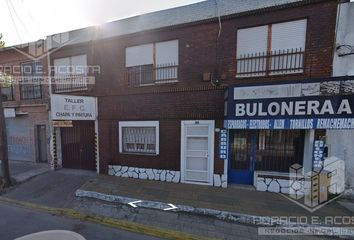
x: 3, y: 147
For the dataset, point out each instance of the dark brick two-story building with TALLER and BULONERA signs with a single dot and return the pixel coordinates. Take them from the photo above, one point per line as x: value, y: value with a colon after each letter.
x: 211, y: 93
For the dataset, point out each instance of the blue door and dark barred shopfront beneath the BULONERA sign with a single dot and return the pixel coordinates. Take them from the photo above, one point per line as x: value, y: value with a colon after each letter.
x: 263, y: 150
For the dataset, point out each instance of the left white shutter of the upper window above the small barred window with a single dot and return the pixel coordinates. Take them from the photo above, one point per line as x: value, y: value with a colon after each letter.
x: 139, y: 55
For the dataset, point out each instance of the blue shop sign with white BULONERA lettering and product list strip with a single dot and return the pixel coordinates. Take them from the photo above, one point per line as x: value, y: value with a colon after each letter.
x: 312, y: 104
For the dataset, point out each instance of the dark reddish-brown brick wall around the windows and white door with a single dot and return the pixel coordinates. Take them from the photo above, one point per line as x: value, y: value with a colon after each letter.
x: 191, y: 98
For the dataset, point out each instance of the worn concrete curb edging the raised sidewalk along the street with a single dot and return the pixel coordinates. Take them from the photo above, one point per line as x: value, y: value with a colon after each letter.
x: 221, y: 215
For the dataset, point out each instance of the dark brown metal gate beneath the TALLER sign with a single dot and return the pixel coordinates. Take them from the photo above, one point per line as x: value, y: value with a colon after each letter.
x: 78, y: 145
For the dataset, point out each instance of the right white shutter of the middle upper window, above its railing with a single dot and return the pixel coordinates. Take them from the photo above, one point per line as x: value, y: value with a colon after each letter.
x: 167, y: 53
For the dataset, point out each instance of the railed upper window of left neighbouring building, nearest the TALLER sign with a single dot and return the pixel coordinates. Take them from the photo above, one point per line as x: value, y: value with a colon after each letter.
x: 30, y: 86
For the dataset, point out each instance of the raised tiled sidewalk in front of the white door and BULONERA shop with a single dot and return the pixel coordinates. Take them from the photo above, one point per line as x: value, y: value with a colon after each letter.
x: 235, y: 200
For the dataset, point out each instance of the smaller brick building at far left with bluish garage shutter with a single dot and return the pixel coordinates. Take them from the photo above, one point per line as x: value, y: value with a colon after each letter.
x: 25, y: 97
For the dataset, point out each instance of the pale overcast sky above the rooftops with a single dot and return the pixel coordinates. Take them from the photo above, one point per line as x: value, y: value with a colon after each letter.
x: 24, y: 21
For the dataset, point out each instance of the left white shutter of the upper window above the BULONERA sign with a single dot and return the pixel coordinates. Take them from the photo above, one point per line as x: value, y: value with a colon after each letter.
x: 252, y: 40
